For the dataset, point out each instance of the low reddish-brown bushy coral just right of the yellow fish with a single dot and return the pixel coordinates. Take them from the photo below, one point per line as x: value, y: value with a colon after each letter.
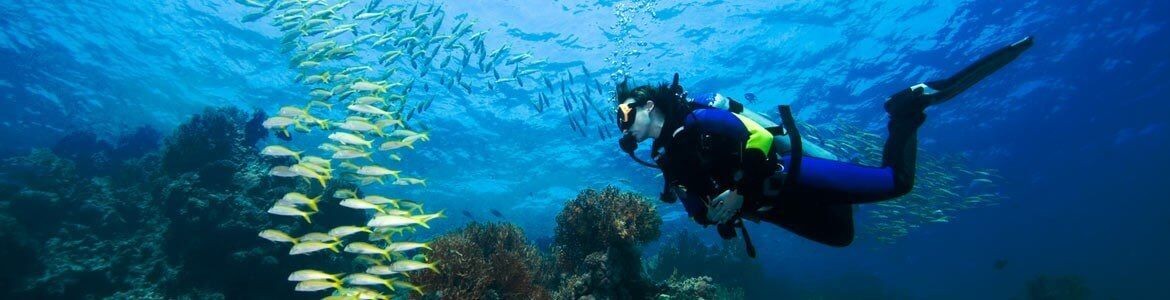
x: 485, y: 262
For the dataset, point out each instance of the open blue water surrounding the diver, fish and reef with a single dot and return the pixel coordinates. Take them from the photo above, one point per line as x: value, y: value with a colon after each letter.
x: 1078, y: 127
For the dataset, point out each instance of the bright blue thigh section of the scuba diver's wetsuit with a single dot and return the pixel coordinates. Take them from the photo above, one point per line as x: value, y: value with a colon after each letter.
x: 843, y: 183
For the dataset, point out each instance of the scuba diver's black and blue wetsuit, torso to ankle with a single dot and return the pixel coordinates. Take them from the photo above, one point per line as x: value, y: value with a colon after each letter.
x: 706, y: 154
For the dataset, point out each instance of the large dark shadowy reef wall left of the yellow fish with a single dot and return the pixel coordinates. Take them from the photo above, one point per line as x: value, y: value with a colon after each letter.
x: 94, y: 220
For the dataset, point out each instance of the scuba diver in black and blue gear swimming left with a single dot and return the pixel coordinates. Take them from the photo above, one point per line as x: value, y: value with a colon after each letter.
x: 728, y: 165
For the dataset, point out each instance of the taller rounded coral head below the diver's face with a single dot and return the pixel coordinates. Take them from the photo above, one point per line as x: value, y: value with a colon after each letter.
x: 596, y: 246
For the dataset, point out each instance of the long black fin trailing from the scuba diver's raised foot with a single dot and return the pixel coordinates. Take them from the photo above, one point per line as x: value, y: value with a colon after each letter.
x: 946, y: 90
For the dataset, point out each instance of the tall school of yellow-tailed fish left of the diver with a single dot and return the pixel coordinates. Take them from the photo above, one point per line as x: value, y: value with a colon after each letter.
x: 367, y: 111
